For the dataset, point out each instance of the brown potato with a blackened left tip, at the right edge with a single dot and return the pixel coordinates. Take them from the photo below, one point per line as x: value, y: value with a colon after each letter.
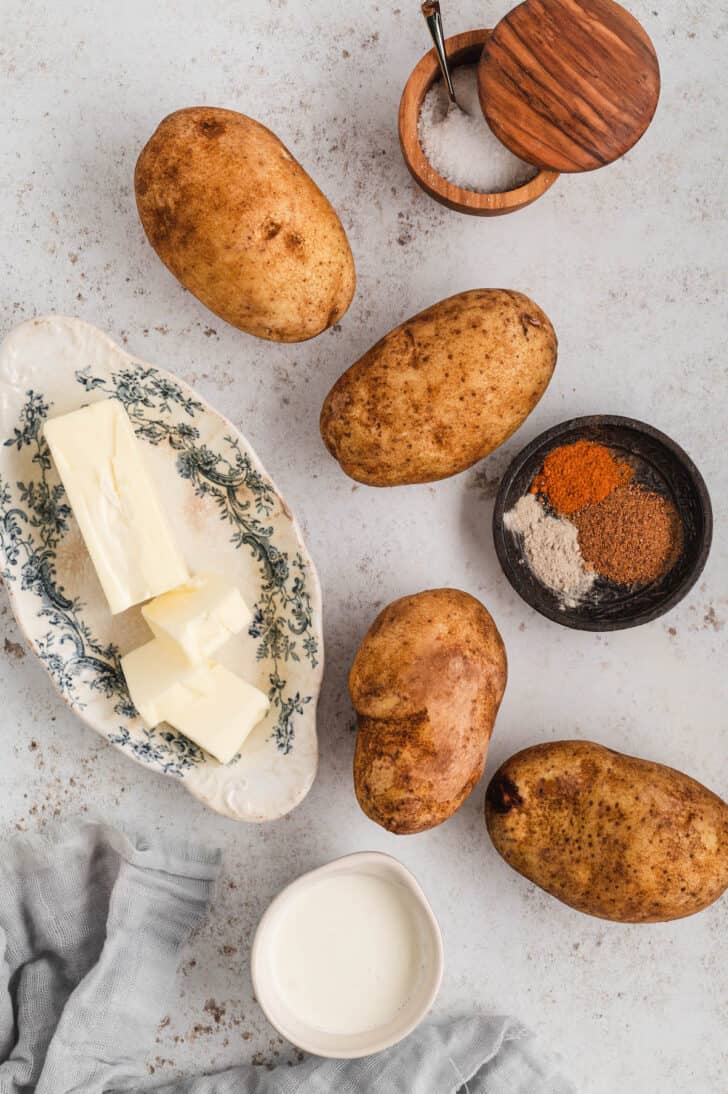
x: 611, y: 835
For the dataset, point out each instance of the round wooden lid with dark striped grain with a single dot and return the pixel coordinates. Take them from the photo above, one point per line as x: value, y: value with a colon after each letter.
x: 569, y: 85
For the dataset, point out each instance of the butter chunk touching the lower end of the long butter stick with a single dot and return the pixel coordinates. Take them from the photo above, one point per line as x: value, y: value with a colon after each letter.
x: 200, y: 616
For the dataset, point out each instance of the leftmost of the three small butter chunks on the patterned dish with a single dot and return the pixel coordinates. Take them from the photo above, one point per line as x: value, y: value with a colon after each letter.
x: 156, y: 673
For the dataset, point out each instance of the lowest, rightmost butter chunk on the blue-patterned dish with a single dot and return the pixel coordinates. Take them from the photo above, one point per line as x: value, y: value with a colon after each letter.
x: 217, y: 711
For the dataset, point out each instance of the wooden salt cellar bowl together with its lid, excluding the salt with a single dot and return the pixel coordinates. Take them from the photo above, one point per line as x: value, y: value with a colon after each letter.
x: 569, y: 86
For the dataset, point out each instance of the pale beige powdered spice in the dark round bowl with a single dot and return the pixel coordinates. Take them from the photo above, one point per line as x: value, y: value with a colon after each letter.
x: 551, y: 545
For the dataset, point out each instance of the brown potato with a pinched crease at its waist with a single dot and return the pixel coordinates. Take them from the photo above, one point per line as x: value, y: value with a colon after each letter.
x: 426, y: 685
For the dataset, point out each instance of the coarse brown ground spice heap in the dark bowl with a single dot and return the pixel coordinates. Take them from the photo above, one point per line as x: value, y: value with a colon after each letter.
x: 632, y: 538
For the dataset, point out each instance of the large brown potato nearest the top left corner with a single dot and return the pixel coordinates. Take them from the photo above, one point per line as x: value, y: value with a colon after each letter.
x: 239, y: 222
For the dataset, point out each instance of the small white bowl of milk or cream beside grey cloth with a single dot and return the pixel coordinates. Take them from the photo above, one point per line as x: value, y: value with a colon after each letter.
x: 349, y: 959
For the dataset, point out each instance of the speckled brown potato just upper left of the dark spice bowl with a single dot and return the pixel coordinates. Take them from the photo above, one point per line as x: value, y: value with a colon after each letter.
x: 442, y: 391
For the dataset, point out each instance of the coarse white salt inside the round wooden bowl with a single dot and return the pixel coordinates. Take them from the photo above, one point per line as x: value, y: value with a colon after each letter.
x: 461, y: 146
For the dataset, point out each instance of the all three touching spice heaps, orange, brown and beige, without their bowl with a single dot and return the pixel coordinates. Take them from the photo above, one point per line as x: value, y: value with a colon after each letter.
x: 585, y: 517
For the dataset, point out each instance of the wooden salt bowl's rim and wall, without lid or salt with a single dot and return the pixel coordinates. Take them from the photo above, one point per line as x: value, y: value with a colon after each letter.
x: 463, y: 50
